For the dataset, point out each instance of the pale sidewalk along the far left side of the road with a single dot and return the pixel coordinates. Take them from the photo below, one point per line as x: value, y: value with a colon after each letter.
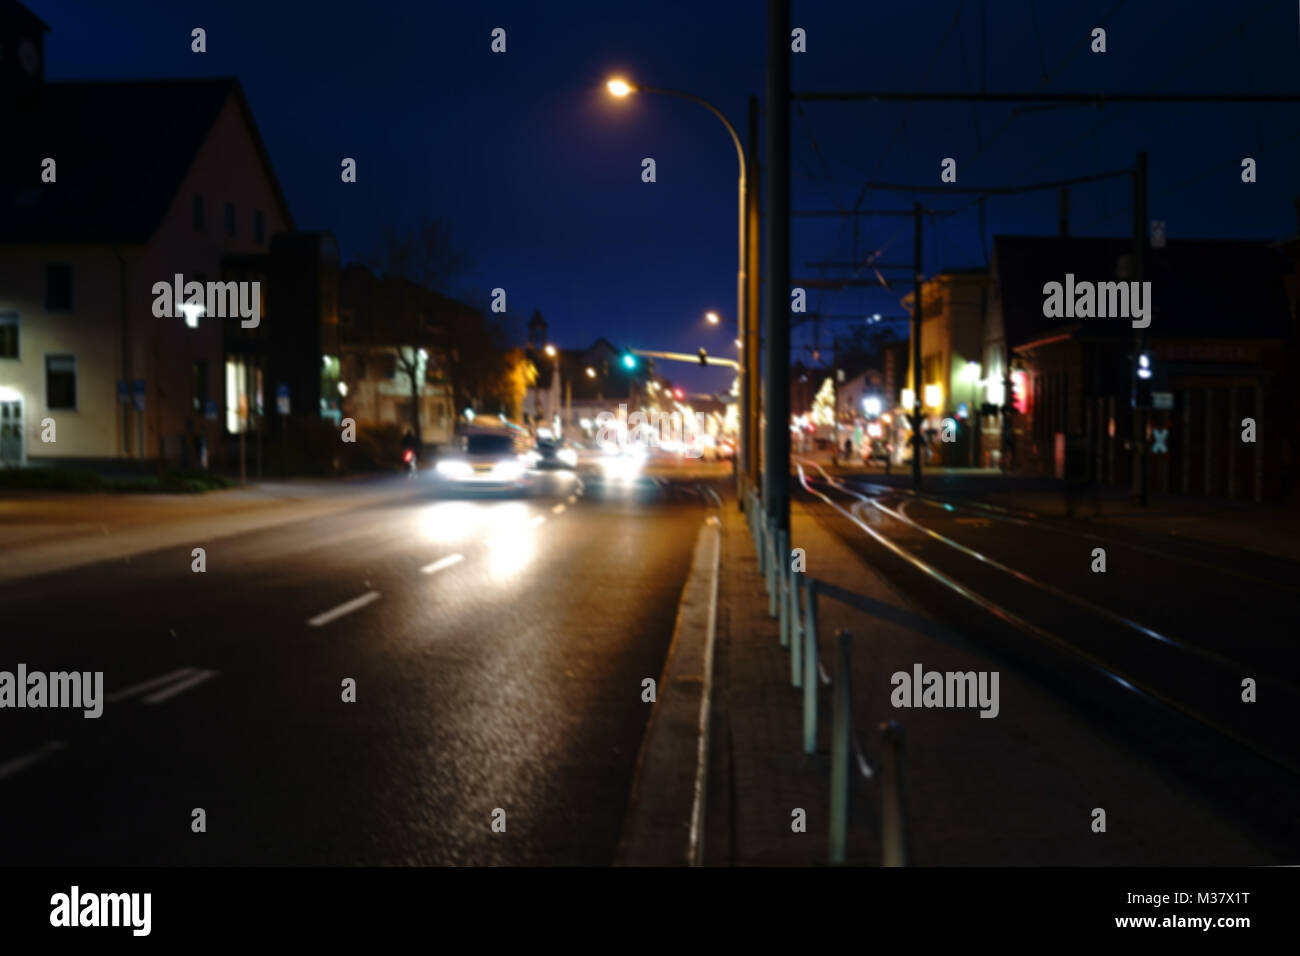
x: 42, y: 533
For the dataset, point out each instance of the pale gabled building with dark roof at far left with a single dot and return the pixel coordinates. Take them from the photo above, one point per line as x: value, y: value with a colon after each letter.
x: 109, y: 189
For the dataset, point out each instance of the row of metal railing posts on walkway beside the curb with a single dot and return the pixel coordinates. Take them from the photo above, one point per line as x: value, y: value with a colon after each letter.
x: 794, y: 600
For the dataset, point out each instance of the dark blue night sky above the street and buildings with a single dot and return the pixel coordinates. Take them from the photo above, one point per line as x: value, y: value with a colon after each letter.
x: 539, y: 170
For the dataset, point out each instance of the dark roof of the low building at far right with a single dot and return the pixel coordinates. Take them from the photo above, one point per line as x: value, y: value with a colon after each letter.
x: 1201, y: 288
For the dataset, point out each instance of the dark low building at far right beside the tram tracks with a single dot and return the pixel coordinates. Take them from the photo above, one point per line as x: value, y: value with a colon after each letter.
x: 1221, y: 349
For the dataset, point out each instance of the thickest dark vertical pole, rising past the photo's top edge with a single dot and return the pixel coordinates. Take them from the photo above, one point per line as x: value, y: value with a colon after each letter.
x: 777, y: 491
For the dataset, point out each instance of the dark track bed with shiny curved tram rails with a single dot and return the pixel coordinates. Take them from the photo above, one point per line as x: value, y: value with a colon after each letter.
x: 1155, y: 648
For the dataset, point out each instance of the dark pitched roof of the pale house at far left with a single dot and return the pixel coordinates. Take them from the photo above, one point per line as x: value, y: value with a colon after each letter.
x: 123, y: 150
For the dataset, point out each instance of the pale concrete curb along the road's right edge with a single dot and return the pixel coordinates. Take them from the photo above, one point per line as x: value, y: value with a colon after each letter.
x: 664, y: 825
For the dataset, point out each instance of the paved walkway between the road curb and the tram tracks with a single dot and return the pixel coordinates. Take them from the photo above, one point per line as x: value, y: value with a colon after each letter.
x: 1015, y: 790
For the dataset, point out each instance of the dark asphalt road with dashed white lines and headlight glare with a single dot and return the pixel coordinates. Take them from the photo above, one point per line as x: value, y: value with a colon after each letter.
x: 497, y: 646
